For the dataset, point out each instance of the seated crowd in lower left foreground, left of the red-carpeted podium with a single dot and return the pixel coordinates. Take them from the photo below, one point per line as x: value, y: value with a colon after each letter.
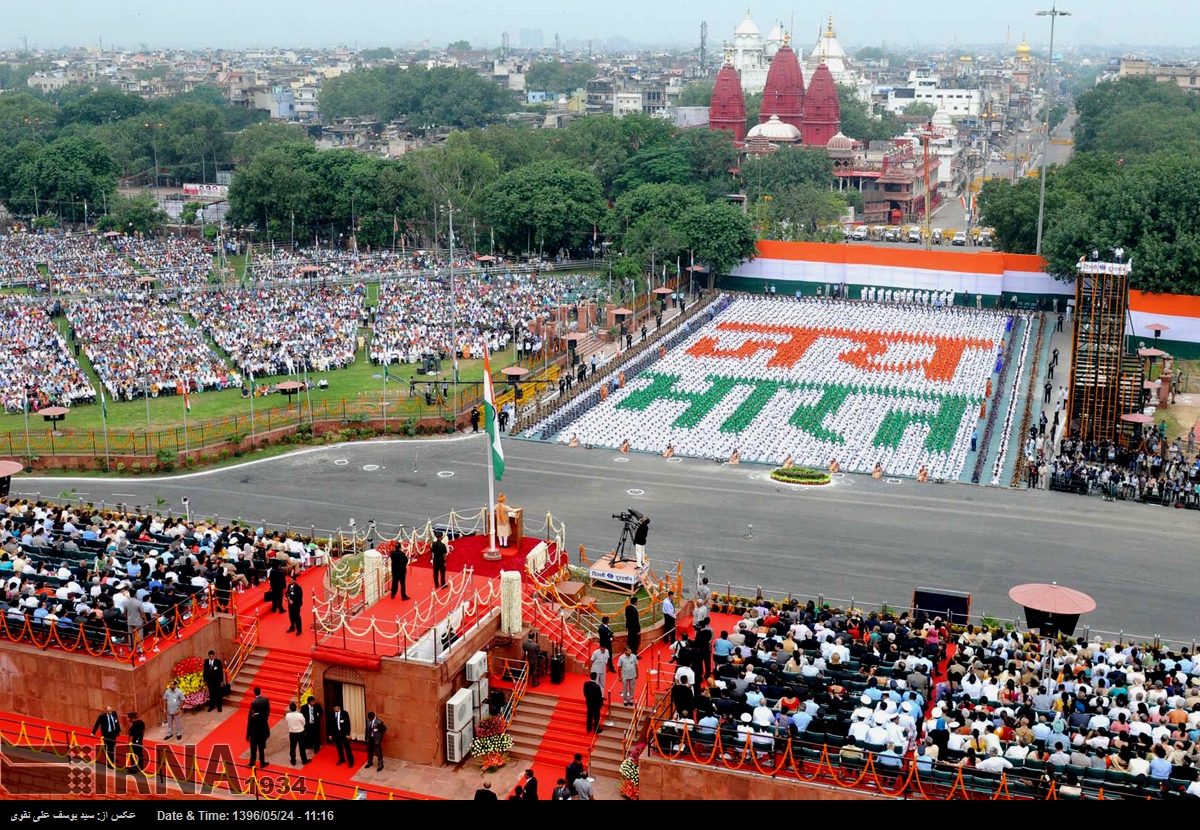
x: 123, y: 576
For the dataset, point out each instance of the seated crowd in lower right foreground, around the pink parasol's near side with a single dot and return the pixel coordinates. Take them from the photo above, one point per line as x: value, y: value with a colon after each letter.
x: 1066, y: 714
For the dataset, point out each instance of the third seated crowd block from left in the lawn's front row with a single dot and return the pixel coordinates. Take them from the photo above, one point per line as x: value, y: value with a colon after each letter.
x: 283, y: 329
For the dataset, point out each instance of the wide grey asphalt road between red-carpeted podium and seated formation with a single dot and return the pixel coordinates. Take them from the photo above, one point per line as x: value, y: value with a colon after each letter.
x: 860, y: 538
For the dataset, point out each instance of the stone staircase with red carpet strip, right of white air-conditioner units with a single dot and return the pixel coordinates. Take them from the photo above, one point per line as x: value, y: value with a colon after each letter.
x: 550, y: 731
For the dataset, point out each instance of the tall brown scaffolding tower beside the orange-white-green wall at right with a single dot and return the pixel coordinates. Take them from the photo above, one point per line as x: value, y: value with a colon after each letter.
x: 1106, y: 381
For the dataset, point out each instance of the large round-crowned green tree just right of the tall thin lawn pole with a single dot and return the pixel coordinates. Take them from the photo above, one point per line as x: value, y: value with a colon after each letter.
x: 544, y: 207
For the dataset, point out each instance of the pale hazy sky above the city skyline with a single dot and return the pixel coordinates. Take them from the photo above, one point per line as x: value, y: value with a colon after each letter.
x: 239, y: 23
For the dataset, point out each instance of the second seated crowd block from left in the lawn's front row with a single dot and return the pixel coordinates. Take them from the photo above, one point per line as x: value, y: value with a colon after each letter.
x: 146, y: 348
